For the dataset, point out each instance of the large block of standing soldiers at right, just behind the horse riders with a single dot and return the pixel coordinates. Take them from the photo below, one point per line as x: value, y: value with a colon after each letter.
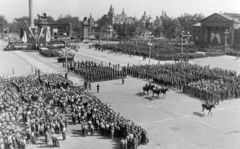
x: 209, y: 84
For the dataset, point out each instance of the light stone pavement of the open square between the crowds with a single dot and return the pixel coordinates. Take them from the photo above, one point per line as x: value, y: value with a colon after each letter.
x: 174, y: 122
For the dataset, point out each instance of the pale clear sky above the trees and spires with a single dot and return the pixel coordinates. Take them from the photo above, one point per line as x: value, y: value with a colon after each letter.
x: 81, y: 8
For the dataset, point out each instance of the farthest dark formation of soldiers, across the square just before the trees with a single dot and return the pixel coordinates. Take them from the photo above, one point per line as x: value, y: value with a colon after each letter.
x: 161, y: 50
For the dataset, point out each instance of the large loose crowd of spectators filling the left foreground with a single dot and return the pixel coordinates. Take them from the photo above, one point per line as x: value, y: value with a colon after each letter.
x: 43, y: 99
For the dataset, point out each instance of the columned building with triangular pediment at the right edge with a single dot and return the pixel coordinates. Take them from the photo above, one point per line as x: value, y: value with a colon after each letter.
x: 218, y: 29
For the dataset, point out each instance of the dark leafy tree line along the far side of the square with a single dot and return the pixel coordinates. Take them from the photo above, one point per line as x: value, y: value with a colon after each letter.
x: 168, y: 25
